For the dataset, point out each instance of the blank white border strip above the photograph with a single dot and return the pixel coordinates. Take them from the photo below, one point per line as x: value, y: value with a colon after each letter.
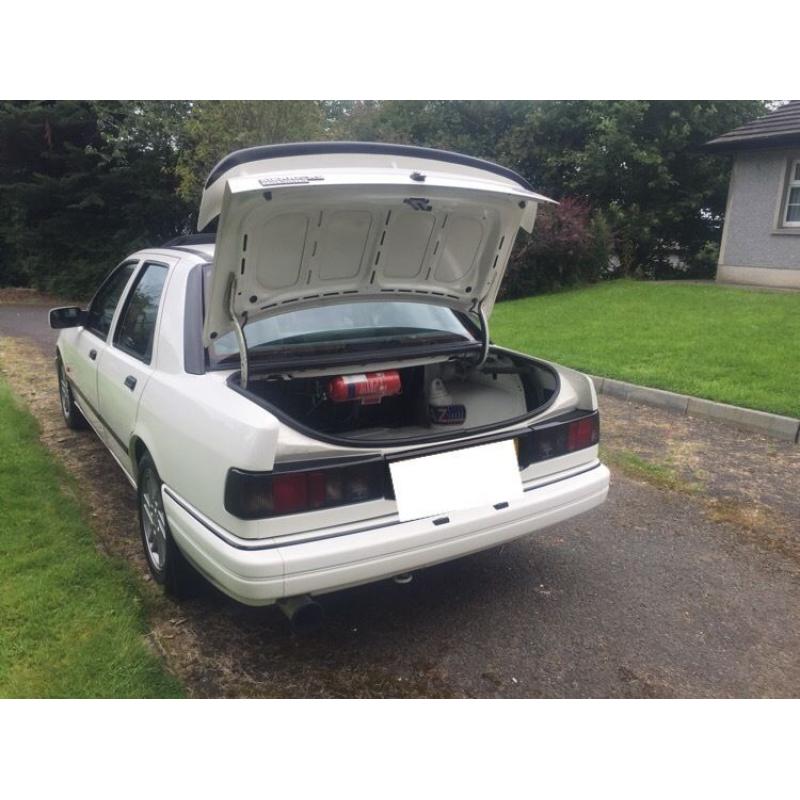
x: 365, y: 49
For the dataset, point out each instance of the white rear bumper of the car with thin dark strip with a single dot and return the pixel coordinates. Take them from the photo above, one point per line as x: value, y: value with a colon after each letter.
x: 341, y: 559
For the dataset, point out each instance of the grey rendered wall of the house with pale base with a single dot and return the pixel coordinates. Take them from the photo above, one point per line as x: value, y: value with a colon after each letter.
x: 754, y: 248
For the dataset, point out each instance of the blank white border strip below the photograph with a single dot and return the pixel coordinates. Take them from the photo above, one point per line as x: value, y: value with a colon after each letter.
x: 398, y: 749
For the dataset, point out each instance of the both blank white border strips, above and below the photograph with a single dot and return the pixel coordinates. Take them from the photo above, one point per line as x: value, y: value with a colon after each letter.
x: 393, y: 749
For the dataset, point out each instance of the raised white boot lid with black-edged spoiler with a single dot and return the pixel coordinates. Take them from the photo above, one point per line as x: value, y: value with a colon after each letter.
x: 303, y: 225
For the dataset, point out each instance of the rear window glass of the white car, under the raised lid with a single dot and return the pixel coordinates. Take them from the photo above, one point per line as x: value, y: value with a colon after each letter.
x: 382, y: 323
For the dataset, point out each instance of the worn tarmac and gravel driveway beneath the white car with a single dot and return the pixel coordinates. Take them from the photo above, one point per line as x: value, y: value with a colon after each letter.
x: 685, y: 584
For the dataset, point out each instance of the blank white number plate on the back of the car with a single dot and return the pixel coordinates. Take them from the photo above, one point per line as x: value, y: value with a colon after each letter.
x: 468, y: 478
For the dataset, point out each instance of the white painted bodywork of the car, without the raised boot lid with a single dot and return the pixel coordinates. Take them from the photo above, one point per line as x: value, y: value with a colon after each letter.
x: 196, y: 428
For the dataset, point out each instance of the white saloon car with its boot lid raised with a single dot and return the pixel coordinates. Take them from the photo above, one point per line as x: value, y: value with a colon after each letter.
x: 308, y: 399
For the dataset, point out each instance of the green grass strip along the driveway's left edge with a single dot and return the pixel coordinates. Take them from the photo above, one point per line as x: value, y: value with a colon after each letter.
x: 71, y: 624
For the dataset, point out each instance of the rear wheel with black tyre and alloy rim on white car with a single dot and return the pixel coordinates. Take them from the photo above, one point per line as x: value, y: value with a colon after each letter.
x: 167, y: 564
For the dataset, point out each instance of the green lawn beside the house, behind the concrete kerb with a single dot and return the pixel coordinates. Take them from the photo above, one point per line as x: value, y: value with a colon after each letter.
x: 721, y: 343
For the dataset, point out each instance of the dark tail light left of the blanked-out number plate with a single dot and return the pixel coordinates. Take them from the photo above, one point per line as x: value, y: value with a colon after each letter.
x: 255, y: 495
